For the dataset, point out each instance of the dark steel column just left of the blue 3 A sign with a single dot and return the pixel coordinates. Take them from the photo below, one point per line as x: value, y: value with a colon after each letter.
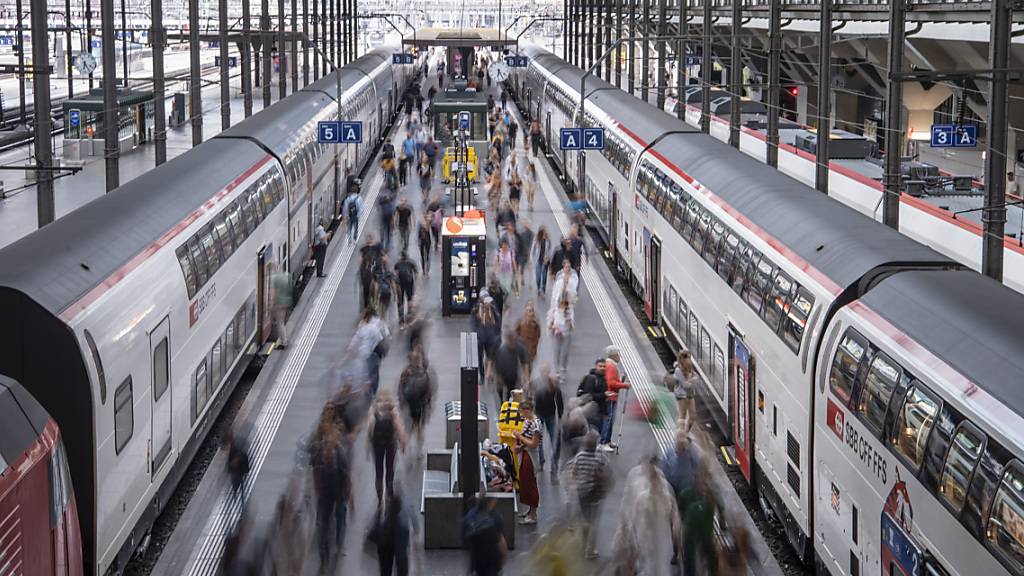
x: 894, y: 116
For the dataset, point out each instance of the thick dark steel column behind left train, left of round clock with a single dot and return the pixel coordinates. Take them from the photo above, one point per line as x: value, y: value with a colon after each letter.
x: 41, y: 101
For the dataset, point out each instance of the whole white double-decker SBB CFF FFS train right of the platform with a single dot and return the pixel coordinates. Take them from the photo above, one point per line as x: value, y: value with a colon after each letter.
x: 869, y: 384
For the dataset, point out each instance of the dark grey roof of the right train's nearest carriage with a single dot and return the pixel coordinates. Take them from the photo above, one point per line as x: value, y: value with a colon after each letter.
x: 969, y: 321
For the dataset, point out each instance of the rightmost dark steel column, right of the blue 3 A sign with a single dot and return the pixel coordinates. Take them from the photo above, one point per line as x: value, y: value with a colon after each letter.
x: 995, y: 216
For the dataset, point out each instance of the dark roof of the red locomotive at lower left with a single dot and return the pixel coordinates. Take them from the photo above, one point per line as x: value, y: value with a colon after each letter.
x: 22, y: 422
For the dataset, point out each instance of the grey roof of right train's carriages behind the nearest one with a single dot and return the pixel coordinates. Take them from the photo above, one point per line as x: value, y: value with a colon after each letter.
x: 835, y: 239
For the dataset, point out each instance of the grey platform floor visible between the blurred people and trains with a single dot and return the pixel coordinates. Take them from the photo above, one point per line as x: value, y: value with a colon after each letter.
x: 287, y: 398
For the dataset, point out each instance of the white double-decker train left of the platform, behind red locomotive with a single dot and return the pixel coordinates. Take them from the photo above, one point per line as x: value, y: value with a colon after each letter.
x: 132, y: 319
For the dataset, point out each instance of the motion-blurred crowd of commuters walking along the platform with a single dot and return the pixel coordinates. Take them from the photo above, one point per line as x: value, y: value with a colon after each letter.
x: 567, y: 449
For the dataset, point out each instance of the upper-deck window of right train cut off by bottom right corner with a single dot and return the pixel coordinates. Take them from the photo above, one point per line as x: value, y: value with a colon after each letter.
x: 1005, y: 534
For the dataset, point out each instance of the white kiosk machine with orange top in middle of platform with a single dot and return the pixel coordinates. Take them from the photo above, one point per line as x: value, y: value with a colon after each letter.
x: 464, y: 258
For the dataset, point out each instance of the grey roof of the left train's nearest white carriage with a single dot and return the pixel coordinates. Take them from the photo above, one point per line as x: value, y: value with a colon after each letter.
x: 59, y: 264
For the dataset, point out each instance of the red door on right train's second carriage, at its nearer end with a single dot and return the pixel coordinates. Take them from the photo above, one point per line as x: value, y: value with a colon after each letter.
x: 742, y: 389
